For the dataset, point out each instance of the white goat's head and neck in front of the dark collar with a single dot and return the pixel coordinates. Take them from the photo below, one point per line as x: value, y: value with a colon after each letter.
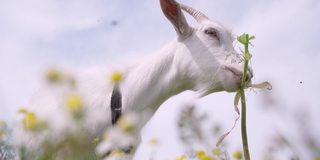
x: 201, y: 59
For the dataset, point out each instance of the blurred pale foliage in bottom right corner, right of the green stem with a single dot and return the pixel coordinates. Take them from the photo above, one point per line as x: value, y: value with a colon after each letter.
x: 305, y: 146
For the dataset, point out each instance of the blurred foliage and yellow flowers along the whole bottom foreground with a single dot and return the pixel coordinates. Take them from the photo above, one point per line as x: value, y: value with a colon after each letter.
x: 117, y: 142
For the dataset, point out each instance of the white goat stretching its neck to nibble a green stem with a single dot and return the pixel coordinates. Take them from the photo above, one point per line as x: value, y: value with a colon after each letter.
x: 200, y: 59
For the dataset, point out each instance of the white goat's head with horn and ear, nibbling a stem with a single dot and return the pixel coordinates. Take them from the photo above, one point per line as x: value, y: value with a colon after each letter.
x: 205, y: 54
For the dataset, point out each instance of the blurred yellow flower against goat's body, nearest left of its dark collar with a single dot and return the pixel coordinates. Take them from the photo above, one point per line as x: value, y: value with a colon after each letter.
x: 74, y: 105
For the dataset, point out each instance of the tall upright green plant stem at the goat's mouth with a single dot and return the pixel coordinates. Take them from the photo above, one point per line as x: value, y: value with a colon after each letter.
x: 243, y: 105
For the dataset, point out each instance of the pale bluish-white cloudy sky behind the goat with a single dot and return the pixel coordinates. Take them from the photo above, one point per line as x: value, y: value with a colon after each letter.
x: 81, y: 34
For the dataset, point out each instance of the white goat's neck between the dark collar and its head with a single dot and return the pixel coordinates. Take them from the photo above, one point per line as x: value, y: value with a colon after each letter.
x: 149, y: 84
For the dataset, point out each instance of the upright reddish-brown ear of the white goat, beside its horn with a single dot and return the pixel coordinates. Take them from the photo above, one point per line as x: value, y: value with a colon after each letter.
x: 172, y: 11
